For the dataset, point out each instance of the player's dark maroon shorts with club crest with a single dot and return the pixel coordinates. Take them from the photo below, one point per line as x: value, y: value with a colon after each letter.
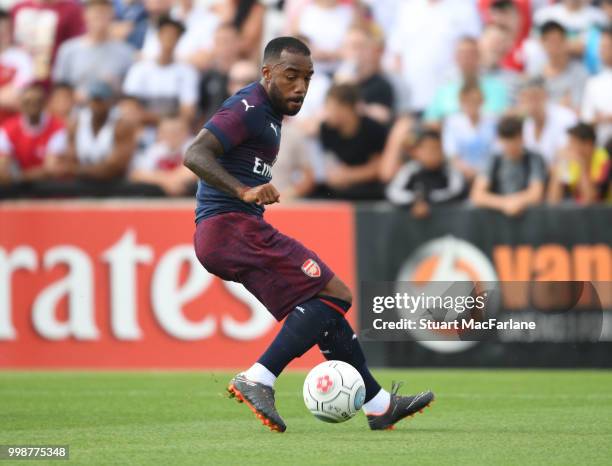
x: 278, y: 270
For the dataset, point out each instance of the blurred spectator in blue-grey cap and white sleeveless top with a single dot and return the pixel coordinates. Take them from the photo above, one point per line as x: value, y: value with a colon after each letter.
x: 100, y: 144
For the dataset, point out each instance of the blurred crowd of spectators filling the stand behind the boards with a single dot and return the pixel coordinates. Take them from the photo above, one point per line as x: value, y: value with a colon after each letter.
x: 505, y: 103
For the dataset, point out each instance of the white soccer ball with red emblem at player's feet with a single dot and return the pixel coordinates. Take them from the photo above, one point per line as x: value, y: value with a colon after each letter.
x: 334, y: 391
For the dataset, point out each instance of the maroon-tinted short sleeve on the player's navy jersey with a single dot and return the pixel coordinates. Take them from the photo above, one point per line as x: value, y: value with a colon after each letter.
x: 234, y: 123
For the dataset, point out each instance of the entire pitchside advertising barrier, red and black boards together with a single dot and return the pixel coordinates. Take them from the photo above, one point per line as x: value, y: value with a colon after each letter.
x: 116, y: 285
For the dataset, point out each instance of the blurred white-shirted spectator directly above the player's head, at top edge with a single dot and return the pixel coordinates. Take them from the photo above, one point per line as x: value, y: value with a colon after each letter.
x: 325, y: 24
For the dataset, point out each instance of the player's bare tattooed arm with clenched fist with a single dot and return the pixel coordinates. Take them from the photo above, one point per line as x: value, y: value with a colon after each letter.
x: 201, y: 158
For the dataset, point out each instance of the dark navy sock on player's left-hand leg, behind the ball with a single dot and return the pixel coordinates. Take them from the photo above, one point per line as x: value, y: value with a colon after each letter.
x: 302, y: 329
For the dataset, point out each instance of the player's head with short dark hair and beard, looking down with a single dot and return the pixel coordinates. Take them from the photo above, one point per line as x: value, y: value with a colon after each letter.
x: 287, y: 68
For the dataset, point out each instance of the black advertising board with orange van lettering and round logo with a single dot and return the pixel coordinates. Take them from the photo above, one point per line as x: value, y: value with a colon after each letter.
x: 560, y: 249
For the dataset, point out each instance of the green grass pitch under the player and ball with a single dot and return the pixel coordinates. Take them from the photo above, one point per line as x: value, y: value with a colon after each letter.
x: 174, y: 418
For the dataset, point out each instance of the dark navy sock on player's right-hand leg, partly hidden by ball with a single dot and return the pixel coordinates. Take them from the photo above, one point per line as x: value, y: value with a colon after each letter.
x: 340, y: 343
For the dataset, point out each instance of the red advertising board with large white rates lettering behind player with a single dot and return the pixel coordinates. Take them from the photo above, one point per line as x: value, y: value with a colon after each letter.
x: 117, y: 286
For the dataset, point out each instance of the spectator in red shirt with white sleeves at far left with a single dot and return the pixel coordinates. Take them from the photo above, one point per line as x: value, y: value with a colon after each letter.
x: 32, y: 143
